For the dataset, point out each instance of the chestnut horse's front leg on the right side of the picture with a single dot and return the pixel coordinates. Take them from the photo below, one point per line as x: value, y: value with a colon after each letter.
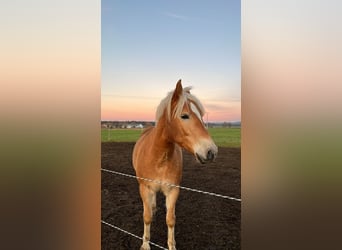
x: 171, y: 198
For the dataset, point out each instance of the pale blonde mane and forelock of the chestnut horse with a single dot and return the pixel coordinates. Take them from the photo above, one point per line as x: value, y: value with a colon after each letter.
x: 165, y: 104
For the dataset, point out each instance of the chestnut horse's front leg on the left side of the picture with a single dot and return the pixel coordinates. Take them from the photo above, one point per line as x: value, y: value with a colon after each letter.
x: 148, y: 198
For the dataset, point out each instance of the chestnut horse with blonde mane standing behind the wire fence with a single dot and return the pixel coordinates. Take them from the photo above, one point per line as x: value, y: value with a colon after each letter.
x: 157, y: 154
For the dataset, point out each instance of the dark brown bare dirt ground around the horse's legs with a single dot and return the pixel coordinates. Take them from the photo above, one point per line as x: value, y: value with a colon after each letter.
x: 203, y: 221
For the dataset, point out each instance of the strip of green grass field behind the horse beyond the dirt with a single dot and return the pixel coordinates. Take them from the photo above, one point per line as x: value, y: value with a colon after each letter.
x: 223, y: 137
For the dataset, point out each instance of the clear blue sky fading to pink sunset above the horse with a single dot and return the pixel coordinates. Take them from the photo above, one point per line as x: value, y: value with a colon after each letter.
x: 147, y: 46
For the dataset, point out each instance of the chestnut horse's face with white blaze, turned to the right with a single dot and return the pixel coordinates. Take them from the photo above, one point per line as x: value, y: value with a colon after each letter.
x: 190, y: 133
